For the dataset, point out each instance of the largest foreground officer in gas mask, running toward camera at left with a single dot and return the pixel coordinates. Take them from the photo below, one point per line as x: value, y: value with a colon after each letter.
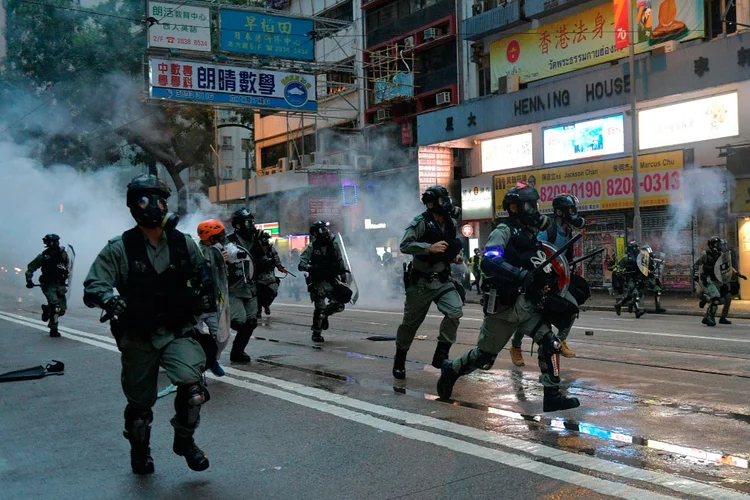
x: 155, y: 270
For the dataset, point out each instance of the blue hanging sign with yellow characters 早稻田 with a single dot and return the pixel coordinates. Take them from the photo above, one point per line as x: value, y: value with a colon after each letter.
x: 257, y: 33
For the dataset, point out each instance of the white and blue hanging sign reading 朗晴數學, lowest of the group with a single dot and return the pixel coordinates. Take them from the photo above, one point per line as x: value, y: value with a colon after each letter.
x: 234, y: 85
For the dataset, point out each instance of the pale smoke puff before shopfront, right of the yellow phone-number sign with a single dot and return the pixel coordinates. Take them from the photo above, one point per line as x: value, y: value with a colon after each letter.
x: 703, y: 193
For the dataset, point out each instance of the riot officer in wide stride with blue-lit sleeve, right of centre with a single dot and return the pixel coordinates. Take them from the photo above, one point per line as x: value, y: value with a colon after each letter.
x: 519, y: 295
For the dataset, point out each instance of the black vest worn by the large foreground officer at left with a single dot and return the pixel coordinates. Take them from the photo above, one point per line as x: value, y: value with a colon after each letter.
x: 154, y: 300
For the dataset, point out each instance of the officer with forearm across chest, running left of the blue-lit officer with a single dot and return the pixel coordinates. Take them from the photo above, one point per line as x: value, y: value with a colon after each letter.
x: 432, y: 240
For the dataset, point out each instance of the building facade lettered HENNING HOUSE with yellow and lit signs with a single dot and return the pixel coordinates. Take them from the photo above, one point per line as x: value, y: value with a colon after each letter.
x: 549, y: 103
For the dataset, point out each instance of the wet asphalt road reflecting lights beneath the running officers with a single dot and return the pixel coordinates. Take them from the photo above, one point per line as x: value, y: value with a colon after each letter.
x: 664, y: 412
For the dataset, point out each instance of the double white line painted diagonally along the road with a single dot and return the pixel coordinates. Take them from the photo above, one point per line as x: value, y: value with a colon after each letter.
x: 323, y: 402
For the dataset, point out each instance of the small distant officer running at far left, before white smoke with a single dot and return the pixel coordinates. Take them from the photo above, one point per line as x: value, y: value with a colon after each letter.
x: 55, y: 265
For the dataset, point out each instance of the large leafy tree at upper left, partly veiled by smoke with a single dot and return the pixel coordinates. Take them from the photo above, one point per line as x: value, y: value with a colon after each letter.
x: 83, y: 68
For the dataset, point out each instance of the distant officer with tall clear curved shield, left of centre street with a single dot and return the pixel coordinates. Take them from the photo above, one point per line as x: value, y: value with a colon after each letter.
x: 323, y: 261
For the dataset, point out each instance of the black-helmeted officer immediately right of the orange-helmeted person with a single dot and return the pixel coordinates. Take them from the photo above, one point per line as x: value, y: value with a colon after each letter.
x: 243, y: 292
